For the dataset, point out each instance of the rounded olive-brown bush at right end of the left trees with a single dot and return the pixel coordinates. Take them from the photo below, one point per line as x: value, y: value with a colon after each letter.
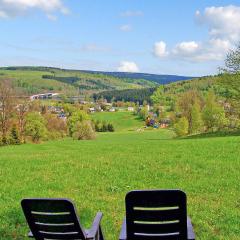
x: 83, y: 131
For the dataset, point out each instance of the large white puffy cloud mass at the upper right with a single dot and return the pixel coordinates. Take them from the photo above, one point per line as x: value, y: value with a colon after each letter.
x: 224, y: 33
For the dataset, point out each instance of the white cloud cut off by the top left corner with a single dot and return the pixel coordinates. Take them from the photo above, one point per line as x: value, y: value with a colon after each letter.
x: 13, y: 8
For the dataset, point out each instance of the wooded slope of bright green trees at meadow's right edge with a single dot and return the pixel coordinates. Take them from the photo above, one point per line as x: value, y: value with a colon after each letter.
x: 209, y: 104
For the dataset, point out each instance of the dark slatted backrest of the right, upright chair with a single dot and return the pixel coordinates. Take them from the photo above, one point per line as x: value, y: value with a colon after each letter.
x: 156, y: 215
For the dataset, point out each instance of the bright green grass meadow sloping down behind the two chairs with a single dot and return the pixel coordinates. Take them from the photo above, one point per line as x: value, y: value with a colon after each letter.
x: 97, y: 174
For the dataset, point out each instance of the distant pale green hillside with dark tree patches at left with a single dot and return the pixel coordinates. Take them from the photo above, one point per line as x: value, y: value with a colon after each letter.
x: 41, y: 79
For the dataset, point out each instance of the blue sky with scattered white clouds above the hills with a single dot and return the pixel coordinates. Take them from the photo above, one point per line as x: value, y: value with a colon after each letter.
x: 165, y: 37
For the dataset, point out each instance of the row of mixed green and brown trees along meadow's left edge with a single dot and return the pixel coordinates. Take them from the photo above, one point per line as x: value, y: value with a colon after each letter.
x: 22, y: 120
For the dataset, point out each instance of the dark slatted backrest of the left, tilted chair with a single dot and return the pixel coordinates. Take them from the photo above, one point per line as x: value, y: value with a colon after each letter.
x: 52, y: 219
